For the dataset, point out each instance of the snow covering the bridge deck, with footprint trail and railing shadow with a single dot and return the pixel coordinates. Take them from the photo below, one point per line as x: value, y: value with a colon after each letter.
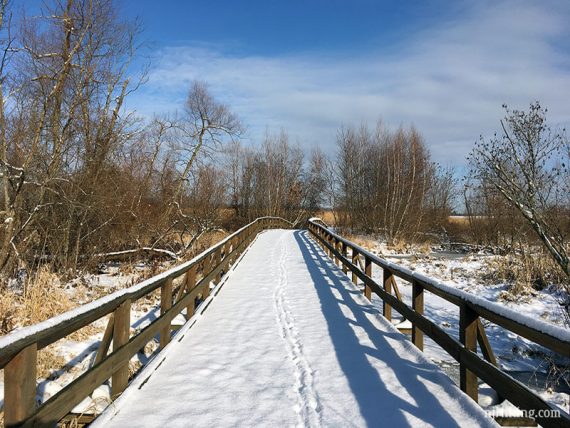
x: 290, y: 341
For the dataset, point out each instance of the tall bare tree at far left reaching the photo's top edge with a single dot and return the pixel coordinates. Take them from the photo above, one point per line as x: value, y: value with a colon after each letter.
x: 67, y: 83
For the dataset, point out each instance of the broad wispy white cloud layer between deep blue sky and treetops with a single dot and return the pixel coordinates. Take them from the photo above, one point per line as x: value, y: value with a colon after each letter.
x: 449, y: 81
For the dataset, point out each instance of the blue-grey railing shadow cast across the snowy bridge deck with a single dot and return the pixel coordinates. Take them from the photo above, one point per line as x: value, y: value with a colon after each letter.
x: 376, y: 401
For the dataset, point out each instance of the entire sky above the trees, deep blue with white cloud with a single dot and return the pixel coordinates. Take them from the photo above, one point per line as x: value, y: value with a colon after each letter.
x: 311, y: 66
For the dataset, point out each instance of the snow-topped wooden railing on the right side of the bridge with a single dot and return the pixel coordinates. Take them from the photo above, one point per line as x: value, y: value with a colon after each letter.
x: 471, y: 330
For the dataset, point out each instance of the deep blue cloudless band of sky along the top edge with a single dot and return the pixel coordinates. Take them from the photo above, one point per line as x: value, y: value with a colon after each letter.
x: 286, y: 27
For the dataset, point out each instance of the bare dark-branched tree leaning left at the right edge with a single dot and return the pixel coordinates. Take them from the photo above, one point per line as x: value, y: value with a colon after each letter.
x: 520, y: 165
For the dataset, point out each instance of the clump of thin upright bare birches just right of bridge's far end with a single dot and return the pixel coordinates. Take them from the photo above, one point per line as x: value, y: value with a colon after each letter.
x: 383, y: 178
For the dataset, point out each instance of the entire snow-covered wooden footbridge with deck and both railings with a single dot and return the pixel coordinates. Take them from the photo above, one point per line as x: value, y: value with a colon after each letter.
x: 280, y: 331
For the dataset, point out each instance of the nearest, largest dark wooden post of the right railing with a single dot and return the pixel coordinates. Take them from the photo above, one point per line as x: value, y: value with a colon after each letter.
x: 468, y: 336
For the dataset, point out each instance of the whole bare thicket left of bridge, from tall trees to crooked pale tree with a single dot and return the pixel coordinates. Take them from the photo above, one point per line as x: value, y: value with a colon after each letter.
x: 81, y: 175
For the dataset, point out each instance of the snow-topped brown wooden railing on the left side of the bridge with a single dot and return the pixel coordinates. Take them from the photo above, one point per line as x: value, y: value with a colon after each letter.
x: 18, y: 351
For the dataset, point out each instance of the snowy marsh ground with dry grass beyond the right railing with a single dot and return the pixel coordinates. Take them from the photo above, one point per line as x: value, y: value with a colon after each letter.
x: 527, y: 362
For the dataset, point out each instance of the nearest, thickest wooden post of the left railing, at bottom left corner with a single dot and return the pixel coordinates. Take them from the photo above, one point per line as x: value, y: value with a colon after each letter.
x: 20, y: 386
